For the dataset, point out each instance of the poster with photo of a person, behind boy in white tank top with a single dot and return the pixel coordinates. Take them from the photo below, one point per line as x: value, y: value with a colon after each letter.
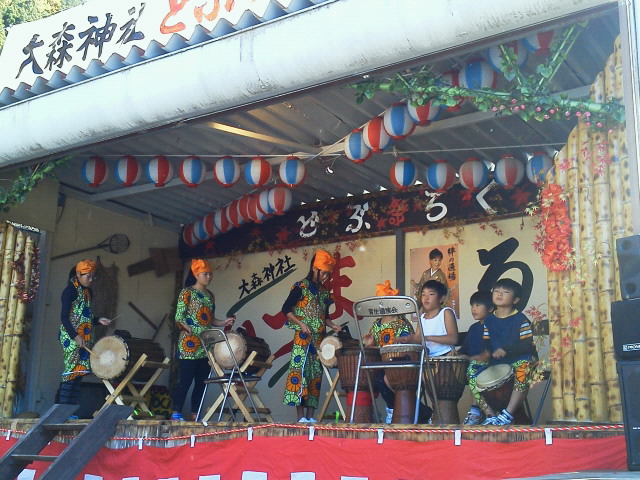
x: 436, y: 263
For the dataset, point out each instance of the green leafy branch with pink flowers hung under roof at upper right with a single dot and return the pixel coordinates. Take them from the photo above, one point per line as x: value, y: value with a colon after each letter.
x: 528, y: 96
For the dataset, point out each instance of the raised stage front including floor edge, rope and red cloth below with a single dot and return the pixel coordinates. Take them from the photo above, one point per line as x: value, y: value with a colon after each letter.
x: 164, y: 450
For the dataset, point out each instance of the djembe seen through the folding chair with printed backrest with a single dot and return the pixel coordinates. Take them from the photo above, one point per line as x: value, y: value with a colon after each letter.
x: 402, y: 380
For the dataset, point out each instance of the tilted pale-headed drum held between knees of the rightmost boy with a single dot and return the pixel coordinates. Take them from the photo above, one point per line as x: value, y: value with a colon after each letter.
x: 495, y: 384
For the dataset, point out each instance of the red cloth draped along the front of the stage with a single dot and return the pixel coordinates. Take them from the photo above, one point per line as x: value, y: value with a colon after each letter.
x: 324, y: 458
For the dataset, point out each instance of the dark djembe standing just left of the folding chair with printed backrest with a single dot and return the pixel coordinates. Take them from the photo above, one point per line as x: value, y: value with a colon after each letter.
x: 347, y: 358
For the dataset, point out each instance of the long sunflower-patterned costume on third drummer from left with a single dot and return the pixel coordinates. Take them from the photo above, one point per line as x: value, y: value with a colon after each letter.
x: 305, y: 372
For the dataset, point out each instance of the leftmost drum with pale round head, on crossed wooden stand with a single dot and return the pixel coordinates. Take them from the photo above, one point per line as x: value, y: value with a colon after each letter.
x: 115, y: 355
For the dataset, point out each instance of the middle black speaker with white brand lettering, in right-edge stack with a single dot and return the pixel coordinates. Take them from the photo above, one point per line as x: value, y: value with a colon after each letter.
x: 625, y: 322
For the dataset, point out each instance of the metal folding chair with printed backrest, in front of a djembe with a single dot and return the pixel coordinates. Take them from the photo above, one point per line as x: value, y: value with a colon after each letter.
x: 388, y: 305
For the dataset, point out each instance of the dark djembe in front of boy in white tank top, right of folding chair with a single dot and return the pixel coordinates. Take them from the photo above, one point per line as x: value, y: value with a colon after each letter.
x: 450, y: 377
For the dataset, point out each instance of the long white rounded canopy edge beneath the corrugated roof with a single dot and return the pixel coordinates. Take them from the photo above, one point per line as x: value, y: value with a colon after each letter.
x: 331, y: 41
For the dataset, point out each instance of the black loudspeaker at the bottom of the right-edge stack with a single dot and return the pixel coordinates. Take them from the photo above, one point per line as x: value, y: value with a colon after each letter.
x: 629, y: 376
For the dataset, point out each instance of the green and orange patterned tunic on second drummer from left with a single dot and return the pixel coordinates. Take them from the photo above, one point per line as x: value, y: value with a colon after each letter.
x: 194, y: 308
